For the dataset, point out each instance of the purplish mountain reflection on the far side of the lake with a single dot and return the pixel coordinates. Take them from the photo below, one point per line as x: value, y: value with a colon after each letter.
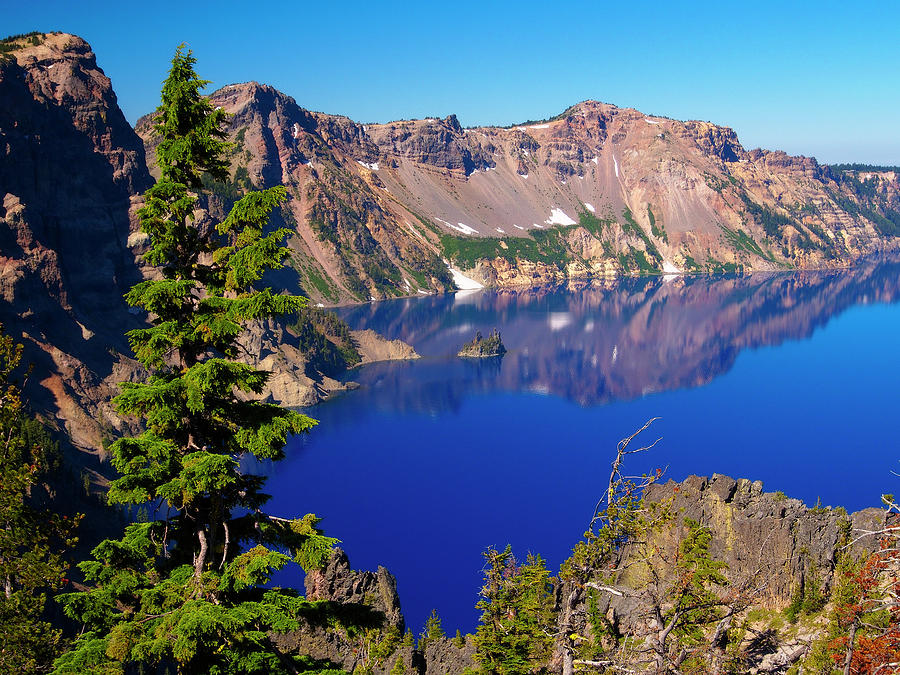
x: 602, y: 341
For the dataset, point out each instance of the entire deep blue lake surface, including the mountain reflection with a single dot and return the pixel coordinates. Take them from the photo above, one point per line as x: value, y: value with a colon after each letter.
x: 789, y: 378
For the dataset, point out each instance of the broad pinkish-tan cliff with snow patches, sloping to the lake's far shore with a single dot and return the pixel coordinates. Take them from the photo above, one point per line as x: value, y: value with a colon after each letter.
x: 631, y: 193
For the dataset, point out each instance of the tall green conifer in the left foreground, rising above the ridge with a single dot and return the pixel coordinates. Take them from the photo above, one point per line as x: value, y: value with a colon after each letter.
x: 187, y: 591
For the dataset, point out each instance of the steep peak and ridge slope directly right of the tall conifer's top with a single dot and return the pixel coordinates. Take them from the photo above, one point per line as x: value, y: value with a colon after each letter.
x: 352, y: 240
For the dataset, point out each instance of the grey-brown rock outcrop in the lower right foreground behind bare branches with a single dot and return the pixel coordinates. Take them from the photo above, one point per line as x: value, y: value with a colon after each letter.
x: 776, y: 551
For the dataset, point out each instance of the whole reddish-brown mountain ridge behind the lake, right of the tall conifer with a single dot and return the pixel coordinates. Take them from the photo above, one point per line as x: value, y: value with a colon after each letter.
x: 597, y: 190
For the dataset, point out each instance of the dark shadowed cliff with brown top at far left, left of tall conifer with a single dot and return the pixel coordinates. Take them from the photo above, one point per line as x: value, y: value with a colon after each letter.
x: 70, y: 167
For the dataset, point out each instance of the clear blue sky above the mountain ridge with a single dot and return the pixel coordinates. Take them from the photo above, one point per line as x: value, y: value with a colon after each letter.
x: 816, y: 79
